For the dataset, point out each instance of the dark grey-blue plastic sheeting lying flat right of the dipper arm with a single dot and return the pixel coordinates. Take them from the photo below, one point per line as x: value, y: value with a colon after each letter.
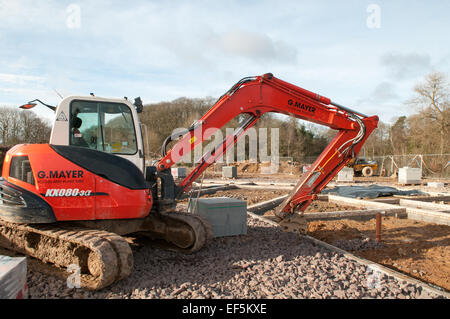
x: 372, y: 191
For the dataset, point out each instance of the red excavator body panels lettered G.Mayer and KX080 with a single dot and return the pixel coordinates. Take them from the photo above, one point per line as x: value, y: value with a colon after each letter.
x: 73, y: 192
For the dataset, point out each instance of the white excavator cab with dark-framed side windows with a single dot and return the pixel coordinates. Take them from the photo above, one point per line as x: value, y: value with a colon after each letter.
x: 107, y: 125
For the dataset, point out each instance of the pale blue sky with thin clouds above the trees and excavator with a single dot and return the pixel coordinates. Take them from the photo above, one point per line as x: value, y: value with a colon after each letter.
x: 366, y: 55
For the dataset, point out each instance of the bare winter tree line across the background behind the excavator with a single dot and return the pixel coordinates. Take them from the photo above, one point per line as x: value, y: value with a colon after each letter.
x: 424, y: 132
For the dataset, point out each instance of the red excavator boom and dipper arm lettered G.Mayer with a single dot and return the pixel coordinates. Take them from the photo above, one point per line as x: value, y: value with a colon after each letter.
x: 258, y: 95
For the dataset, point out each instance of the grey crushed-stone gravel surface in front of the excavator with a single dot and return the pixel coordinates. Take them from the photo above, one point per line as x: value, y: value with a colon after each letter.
x: 267, y: 263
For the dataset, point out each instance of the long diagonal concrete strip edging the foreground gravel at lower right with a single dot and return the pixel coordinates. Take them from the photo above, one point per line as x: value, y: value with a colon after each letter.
x: 374, y: 266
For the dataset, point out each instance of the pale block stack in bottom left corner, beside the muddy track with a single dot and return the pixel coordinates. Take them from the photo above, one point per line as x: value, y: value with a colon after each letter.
x: 13, y: 277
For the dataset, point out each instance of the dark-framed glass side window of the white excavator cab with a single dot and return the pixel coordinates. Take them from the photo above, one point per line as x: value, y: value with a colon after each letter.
x: 106, y: 127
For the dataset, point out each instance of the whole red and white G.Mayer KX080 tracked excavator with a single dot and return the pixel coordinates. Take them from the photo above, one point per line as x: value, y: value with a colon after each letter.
x: 71, y: 201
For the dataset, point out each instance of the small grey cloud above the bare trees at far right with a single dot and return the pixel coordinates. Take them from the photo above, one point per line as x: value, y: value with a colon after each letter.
x: 403, y: 66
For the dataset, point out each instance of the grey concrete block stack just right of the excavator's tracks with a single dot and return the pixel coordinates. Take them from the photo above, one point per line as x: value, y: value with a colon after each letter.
x: 228, y: 216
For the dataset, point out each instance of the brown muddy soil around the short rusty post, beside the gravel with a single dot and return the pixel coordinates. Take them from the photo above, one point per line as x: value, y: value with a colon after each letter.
x: 419, y: 249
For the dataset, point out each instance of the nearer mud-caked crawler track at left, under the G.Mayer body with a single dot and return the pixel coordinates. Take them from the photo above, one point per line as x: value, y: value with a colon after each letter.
x: 103, y: 257
